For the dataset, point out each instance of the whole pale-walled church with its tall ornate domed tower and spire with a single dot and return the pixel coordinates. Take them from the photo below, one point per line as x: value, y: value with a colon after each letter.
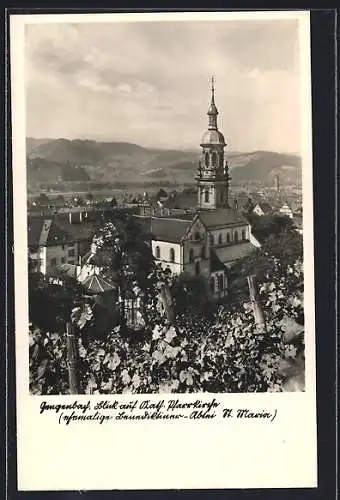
x: 207, y: 241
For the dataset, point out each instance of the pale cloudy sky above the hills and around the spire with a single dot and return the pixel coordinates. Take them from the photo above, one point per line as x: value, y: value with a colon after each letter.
x: 149, y: 82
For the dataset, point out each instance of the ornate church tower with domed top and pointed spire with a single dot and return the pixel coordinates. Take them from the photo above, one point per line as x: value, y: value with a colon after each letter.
x: 213, y: 174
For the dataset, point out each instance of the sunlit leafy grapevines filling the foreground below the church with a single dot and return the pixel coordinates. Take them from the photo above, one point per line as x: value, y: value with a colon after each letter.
x: 223, y: 353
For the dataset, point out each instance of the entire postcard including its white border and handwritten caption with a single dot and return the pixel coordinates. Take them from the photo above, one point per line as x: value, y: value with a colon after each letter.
x: 163, y: 250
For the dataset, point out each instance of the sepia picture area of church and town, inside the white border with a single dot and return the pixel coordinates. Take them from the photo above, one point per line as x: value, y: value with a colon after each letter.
x: 164, y: 207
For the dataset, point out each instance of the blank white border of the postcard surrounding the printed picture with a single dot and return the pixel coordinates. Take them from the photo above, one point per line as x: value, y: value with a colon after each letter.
x: 161, y: 455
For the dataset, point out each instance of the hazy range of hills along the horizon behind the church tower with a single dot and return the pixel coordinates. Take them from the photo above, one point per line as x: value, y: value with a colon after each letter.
x: 63, y: 160
